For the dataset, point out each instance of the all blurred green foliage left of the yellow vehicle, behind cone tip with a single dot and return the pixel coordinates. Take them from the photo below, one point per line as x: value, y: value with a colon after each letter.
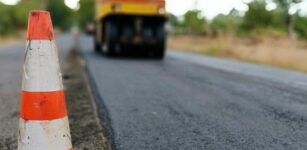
x: 14, y: 18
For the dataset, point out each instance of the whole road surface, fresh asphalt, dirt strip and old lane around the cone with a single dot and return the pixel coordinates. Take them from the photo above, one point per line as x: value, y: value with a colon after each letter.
x: 186, y: 101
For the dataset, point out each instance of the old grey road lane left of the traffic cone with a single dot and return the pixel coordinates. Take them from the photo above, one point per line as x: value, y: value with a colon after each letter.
x: 10, y: 84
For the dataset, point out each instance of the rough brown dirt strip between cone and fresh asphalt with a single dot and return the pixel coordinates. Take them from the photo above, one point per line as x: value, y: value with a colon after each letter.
x: 86, y: 132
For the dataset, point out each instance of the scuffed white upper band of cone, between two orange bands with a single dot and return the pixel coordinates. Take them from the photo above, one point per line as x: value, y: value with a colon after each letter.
x: 41, y: 70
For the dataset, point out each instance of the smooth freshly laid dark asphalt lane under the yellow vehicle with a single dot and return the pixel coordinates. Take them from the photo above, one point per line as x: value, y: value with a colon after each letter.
x: 195, y: 102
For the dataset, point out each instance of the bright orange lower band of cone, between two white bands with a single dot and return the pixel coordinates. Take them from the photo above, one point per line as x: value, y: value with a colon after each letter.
x: 43, y: 105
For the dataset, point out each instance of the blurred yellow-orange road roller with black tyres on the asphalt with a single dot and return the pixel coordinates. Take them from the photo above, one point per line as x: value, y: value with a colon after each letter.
x: 126, y: 25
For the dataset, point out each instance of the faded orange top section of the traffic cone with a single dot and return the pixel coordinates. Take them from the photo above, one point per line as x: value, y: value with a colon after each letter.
x: 40, y: 26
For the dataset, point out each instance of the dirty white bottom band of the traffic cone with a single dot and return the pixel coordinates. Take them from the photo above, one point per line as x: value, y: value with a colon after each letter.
x: 44, y: 135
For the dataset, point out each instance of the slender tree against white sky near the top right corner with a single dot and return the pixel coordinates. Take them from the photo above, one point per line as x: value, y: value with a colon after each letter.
x: 284, y: 6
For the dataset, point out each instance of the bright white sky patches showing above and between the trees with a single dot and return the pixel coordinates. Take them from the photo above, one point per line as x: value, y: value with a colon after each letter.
x: 210, y: 8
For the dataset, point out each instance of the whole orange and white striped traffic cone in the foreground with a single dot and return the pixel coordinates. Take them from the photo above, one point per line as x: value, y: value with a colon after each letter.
x: 43, y: 116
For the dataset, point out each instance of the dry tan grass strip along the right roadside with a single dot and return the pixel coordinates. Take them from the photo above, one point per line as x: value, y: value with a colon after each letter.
x: 280, y: 52
